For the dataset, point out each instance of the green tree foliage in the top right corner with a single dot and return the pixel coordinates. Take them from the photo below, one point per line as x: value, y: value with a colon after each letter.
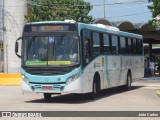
x: 155, y: 9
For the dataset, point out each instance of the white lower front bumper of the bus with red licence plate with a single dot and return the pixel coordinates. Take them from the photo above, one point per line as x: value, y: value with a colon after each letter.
x: 73, y: 87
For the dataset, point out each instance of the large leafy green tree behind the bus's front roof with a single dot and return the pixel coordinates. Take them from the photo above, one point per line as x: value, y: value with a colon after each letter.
x: 49, y: 10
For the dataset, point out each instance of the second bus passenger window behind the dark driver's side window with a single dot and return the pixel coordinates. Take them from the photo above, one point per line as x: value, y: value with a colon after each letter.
x: 106, y: 43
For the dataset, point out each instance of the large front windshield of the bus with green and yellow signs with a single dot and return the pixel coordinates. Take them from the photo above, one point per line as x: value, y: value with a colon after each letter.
x: 51, y: 50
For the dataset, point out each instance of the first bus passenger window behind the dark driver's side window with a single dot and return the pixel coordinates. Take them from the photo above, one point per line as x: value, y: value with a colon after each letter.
x: 96, y: 42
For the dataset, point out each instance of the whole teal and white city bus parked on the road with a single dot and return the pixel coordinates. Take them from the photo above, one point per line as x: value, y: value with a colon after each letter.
x: 62, y: 57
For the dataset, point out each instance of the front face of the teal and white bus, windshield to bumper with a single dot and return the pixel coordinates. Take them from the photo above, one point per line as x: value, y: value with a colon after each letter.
x: 50, y: 58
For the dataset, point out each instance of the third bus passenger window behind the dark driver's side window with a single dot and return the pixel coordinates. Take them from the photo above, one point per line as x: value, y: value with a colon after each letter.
x: 115, y: 45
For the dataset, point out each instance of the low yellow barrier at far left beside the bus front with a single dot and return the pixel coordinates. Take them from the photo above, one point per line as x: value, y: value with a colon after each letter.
x: 10, y: 79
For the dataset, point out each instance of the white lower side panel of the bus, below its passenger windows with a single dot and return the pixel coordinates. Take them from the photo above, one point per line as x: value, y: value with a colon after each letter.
x: 114, y: 71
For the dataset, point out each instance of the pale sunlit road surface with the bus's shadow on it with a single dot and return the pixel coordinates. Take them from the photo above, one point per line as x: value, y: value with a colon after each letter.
x: 142, y: 97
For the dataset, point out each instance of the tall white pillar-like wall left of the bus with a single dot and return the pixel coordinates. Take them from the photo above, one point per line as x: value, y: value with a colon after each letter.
x: 14, y: 11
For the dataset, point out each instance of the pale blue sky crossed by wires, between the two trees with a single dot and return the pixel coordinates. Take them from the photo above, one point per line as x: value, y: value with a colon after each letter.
x: 135, y: 11
